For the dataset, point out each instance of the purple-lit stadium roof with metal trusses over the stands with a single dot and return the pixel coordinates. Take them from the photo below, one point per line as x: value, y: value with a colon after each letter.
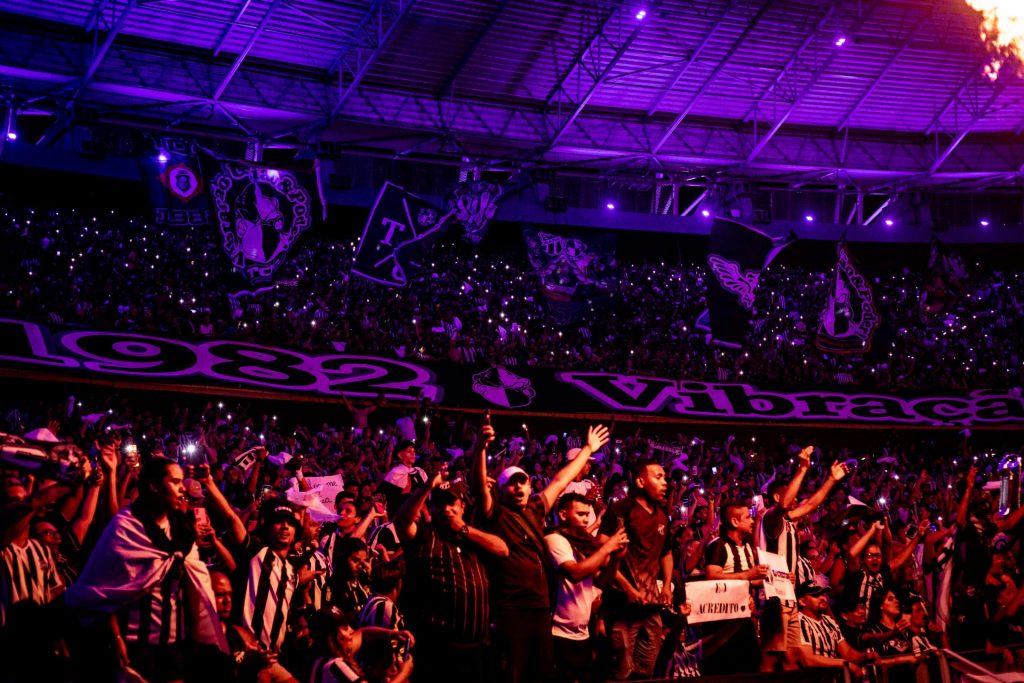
x: 872, y: 95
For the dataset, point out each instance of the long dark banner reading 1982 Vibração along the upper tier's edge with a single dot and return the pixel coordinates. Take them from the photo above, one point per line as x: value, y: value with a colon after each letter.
x: 149, y: 361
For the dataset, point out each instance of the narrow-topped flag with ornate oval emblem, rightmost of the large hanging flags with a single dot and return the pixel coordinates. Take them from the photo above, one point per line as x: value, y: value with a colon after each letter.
x: 849, y: 319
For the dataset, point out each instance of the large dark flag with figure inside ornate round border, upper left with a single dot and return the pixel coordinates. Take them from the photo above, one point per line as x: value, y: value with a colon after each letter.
x: 262, y: 212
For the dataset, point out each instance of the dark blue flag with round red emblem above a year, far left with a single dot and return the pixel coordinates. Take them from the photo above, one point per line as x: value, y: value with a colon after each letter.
x: 176, y: 185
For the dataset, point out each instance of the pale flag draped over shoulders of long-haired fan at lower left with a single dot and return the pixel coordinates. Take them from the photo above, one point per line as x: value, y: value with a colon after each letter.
x: 129, y: 561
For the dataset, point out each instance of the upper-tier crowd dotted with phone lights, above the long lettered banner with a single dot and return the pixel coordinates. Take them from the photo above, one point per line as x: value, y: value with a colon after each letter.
x: 116, y: 272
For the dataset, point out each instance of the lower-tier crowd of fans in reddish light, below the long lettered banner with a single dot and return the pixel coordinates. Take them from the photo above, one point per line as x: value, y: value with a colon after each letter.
x: 192, y: 543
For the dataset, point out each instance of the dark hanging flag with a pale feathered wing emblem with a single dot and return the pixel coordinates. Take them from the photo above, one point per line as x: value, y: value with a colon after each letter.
x: 737, y: 257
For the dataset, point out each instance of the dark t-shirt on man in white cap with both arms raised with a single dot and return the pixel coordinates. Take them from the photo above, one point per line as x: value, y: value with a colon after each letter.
x: 520, y: 581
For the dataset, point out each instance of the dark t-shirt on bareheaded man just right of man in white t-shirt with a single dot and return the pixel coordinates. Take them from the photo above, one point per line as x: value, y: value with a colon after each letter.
x: 650, y: 542
